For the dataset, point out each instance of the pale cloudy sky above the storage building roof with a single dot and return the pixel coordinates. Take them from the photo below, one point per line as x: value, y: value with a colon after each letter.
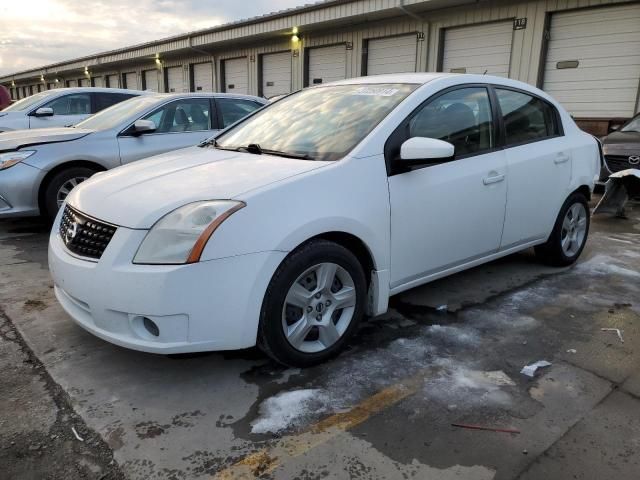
x: 39, y: 32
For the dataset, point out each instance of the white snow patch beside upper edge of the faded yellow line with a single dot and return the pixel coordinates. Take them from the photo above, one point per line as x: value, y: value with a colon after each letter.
x: 288, y: 409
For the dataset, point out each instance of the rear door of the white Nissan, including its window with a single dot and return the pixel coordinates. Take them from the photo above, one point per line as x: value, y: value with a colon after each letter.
x: 539, y: 164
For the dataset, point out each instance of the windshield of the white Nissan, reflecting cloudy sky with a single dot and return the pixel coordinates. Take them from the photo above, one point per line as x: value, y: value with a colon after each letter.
x: 321, y: 123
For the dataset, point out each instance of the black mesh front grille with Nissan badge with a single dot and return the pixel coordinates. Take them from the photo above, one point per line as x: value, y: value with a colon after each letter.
x: 84, y: 235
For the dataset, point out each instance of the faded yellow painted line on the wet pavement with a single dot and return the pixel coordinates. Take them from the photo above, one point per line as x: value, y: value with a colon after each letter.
x: 292, y: 446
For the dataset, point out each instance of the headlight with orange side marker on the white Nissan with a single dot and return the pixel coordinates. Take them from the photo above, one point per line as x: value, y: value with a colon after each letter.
x: 180, y: 236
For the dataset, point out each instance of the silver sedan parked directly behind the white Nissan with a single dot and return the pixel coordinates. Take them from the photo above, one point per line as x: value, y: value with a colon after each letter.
x: 38, y: 168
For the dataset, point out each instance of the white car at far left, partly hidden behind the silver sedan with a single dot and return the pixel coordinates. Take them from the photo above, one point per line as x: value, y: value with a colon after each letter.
x: 60, y: 107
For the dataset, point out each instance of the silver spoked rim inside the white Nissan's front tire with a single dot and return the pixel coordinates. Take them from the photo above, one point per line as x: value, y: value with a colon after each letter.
x: 319, y: 308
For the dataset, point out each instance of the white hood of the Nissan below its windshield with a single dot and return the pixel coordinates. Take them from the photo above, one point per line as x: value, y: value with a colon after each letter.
x: 138, y: 195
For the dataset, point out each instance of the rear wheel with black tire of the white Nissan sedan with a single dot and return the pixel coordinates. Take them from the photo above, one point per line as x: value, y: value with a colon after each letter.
x: 569, y: 235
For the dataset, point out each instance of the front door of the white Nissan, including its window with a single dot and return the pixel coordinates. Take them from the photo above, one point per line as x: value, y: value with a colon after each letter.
x: 448, y: 214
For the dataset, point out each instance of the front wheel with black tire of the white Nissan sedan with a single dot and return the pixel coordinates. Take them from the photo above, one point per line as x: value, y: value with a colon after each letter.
x: 319, y: 315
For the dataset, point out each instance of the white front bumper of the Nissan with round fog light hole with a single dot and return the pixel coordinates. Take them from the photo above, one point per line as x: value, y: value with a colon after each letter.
x: 212, y: 305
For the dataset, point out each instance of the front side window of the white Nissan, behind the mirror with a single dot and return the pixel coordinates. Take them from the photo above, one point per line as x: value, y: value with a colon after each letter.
x: 461, y: 117
